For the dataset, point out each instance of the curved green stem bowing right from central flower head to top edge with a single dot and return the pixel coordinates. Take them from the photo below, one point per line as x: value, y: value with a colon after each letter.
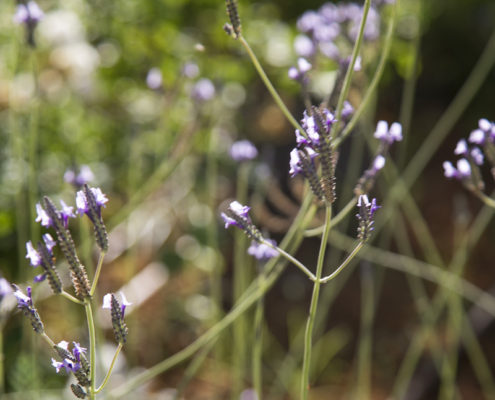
x: 374, y: 82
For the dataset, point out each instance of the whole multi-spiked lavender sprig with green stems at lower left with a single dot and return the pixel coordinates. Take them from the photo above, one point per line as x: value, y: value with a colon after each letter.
x: 89, y: 202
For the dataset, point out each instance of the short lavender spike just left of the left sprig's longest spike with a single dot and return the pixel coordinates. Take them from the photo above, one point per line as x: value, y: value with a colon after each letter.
x: 43, y: 257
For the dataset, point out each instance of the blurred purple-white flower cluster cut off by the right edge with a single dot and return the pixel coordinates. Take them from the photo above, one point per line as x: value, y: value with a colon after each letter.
x: 472, y: 153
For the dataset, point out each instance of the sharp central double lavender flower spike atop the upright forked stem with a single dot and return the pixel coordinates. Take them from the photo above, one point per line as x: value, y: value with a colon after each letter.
x: 316, y: 142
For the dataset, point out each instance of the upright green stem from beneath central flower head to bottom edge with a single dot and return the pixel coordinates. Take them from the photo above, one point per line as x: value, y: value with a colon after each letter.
x: 312, y: 309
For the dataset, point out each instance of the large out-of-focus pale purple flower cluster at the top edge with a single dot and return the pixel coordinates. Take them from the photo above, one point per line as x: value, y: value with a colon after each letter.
x: 323, y: 30
